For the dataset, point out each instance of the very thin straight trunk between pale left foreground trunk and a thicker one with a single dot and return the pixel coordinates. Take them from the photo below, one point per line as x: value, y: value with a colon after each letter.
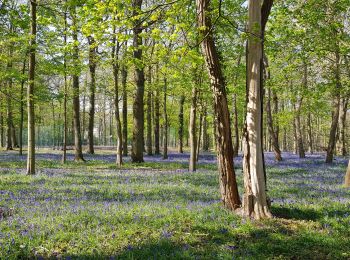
x: 65, y: 120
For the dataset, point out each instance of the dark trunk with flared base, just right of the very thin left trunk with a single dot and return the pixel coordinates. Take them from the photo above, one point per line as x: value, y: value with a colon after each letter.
x: 78, y: 152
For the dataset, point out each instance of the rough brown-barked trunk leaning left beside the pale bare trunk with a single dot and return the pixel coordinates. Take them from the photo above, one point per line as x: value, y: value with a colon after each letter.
x: 228, y: 185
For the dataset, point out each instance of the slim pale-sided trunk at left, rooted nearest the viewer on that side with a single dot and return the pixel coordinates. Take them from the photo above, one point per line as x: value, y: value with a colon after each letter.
x: 30, y: 92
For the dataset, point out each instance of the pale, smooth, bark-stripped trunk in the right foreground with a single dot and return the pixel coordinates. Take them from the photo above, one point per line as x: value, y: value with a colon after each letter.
x: 255, y: 202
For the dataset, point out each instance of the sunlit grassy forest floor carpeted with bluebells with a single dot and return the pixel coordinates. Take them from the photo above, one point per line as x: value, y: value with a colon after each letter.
x: 158, y: 210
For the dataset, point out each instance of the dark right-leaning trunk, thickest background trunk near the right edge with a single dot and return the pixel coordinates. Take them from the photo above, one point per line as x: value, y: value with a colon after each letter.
x: 335, y: 112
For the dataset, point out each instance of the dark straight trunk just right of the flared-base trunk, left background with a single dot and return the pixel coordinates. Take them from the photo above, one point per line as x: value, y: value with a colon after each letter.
x: 92, y: 67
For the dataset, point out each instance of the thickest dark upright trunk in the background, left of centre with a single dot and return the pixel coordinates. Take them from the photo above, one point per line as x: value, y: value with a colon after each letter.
x: 138, y: 107
